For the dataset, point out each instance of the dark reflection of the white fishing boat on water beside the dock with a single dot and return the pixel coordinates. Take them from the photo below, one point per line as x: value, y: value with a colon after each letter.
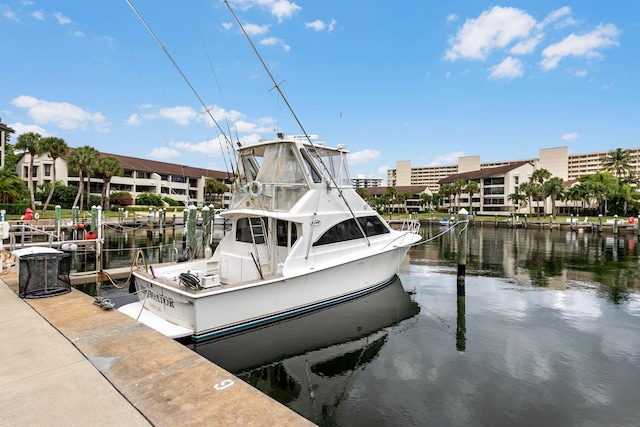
x: 308, y: 363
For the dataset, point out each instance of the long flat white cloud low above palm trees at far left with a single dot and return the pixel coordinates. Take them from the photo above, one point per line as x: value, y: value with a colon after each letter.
x: 60, y: 114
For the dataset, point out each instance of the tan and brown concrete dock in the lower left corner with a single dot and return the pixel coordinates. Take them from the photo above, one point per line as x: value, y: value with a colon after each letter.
x: 67, y: 362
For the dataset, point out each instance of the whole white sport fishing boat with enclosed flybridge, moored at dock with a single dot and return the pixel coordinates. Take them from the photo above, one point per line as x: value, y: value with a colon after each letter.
x: 301, y: 239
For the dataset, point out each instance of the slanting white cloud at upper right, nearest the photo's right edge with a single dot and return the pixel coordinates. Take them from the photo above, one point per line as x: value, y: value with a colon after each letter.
x: 587, y: 45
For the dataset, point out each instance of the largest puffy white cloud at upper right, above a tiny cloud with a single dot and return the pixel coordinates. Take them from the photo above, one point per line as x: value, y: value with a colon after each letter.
x: 493, y: 29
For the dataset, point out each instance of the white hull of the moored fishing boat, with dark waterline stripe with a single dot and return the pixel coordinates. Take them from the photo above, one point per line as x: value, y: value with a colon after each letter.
x: 222, y: 310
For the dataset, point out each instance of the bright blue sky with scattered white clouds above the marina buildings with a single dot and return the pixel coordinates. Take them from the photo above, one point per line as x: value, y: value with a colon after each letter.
x: 418, y: 80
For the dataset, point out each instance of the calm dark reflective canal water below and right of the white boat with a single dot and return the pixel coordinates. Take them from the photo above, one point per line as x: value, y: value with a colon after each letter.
x: 548, y: 334
